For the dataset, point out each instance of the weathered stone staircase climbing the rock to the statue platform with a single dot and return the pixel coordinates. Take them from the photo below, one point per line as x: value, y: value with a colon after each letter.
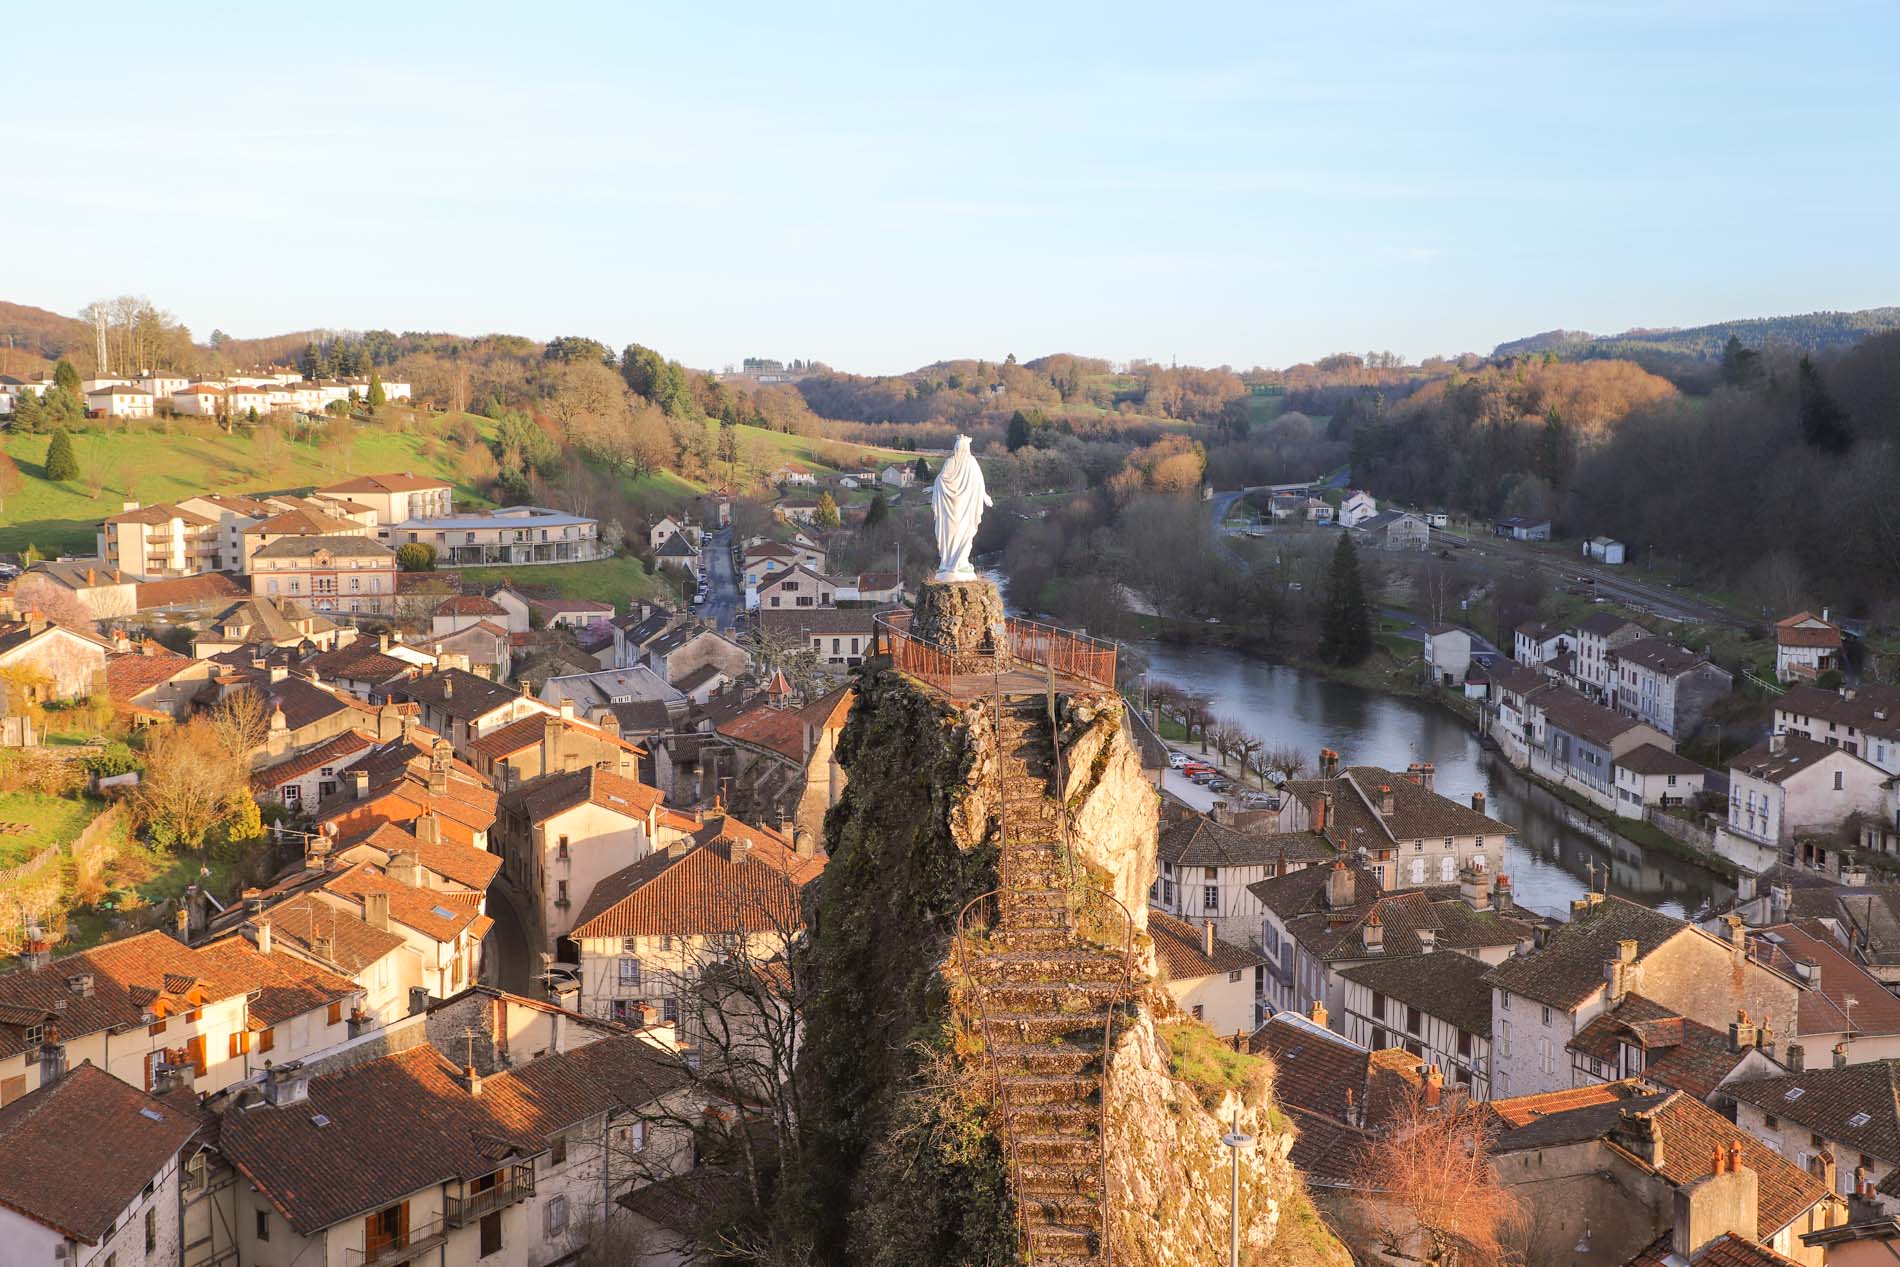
x: 1046, y: 994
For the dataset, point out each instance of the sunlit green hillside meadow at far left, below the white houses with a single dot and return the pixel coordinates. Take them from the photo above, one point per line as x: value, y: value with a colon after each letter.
x: 157, y: 466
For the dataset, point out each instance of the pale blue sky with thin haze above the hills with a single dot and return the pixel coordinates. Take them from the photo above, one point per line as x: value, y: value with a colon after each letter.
x: 881, y: 187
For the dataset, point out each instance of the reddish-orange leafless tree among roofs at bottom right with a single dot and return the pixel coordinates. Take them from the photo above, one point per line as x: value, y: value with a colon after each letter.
x: 1437, y: 1192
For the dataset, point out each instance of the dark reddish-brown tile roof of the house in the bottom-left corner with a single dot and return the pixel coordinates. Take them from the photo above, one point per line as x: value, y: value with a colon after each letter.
x: 83, y: 1150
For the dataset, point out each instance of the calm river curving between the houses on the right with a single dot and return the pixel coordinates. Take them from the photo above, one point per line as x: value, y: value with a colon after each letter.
x: 1555, y: 850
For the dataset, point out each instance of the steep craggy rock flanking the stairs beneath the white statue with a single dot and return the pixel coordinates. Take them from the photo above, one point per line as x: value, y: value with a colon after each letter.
x: 905, y: 1160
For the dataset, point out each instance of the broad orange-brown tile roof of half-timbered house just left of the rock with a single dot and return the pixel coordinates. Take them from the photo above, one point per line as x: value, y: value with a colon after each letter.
x: 704, y: 888
